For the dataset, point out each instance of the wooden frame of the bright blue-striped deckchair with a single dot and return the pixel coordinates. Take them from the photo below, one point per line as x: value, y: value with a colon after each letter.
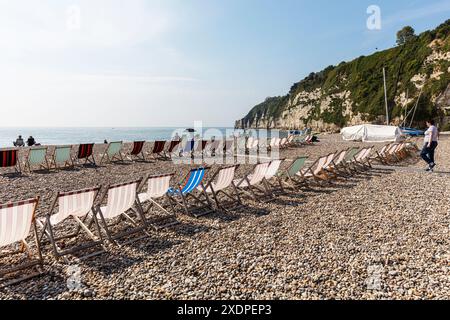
x: 198, y: 196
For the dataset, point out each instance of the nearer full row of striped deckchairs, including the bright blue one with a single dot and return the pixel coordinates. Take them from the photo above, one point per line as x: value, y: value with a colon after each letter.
x: 155, y: 201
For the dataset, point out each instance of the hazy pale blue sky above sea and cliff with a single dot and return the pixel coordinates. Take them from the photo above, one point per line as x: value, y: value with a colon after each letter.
x: 171, y: 62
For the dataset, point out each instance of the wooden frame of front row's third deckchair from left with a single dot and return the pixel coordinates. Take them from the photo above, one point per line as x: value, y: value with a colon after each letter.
x: 124, y: 216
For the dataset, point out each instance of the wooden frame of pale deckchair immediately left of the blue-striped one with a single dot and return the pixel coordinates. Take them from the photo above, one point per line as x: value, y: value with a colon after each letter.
x: 155, y: 204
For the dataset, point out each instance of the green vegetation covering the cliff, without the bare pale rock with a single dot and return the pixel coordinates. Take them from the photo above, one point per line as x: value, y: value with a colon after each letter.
x: 363, y: 78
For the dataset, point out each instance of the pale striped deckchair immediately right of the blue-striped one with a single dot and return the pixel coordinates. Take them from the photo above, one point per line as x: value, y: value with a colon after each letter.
x: 218, y: 185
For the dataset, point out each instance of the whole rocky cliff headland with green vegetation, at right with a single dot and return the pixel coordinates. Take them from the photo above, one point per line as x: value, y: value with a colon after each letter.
x: 352, y: 93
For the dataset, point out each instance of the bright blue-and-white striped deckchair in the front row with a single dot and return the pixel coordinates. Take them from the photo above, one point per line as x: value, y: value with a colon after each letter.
x: 189, y: 197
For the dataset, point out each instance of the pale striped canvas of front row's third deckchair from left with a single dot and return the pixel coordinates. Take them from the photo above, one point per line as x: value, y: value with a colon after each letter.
x: 121, y: 198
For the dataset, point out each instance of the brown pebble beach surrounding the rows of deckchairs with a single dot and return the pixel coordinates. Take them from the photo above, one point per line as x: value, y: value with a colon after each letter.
x: 382, y: 234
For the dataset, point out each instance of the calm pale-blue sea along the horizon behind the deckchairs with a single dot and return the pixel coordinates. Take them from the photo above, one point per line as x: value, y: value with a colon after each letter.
x: 62, y: 136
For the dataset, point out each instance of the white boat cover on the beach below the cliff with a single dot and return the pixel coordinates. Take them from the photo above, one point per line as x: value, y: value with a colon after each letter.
x: 372, y: 133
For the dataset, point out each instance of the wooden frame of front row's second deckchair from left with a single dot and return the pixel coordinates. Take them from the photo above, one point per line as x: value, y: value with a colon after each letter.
x: 49, y: 231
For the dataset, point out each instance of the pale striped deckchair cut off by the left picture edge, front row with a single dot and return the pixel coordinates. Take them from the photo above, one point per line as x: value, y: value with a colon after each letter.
x: 16, y: 222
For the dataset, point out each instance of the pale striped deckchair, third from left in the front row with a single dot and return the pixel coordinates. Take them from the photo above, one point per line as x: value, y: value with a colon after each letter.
x: 121, y: 201
